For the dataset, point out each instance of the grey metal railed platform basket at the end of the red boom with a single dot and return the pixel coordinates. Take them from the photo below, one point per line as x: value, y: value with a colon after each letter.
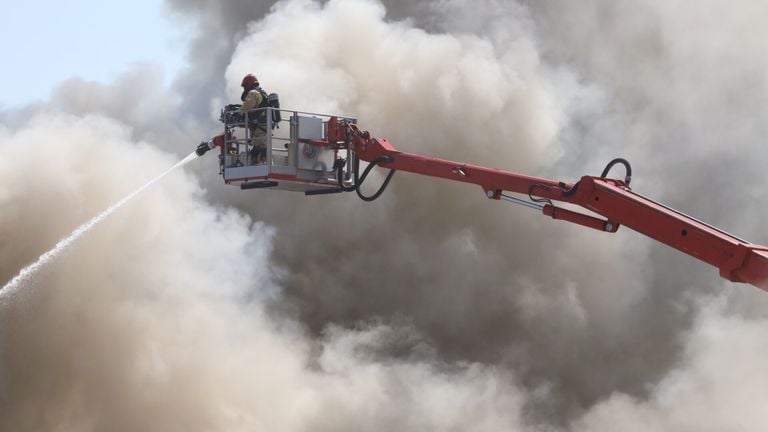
x: 283, y: 149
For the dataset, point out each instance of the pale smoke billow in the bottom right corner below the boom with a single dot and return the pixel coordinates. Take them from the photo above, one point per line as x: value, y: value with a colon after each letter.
x: 718, y: 384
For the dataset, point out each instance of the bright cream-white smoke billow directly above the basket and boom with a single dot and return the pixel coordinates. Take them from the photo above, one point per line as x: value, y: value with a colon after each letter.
x: 404, y: 83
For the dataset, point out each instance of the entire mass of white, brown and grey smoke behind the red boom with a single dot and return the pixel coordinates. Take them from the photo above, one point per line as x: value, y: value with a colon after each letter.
x: 432, y: 301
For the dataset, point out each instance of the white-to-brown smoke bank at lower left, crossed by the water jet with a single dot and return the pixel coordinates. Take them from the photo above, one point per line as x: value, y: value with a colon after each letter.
x: 155, y: 320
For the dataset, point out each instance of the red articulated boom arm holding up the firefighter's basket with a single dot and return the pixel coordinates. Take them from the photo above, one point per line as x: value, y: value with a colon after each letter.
x: 737, y: 260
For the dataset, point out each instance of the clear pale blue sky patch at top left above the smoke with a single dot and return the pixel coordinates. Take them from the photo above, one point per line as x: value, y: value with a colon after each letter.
x: 47, y: 42
